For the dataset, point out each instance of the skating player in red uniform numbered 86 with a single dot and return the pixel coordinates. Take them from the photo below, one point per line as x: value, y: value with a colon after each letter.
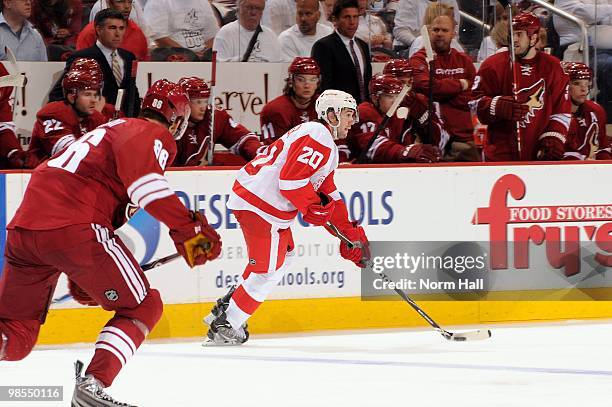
x: 82, y: 189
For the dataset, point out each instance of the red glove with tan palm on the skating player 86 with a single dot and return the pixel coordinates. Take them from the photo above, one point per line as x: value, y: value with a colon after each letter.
x: 197, y: 243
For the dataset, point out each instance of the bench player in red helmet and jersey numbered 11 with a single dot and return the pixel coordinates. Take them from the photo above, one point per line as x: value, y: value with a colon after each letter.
x: 296, y: 104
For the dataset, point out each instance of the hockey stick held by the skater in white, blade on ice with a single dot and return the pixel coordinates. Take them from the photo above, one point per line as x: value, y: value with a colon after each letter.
x: 451, y: 336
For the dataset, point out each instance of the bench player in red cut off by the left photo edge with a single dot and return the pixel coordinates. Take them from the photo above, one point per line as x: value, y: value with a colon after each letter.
x: 11, y: 153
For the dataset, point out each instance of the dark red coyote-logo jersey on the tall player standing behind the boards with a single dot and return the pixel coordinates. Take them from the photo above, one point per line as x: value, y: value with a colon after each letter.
x: 542, y: 85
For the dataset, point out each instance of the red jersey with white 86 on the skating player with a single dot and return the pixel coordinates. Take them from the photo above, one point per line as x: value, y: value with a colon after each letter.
x: 95, y: 178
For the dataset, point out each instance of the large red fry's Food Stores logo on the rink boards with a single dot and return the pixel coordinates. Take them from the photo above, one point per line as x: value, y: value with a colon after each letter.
x: 562, y: 243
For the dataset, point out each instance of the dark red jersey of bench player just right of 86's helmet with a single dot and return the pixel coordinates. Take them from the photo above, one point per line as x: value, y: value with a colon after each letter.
x: 193, y: 146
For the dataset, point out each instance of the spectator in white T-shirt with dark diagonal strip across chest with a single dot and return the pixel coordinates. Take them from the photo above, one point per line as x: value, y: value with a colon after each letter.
x: 245, y: 39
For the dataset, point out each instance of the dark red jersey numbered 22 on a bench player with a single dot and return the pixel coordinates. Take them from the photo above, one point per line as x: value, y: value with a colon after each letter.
x: 57, y: 125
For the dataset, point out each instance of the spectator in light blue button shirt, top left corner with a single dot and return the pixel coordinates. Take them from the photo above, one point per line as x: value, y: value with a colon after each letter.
x: 17, y: 33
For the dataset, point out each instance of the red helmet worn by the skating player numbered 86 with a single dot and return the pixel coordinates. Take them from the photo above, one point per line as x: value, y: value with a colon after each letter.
x: 171, y: 101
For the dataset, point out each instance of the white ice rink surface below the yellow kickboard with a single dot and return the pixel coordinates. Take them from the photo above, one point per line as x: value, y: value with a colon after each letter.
x: 565, y: 364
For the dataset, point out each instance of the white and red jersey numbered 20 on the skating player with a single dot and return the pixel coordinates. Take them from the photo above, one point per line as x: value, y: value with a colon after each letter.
x: 284, y: 178
